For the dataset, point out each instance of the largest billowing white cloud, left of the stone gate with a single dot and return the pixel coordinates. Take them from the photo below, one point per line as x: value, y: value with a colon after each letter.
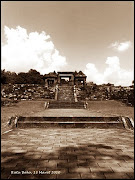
x: 24, y: 51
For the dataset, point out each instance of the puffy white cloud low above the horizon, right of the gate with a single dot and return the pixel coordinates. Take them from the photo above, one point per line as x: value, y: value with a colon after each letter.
x: 113, y: 73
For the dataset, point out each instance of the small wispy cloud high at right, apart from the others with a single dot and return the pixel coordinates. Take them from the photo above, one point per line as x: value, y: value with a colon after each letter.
x: 123, y: 46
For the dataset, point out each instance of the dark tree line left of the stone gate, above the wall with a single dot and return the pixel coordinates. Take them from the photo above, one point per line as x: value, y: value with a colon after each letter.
x: 31, y: 77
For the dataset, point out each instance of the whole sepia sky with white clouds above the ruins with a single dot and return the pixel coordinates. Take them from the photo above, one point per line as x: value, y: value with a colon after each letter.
x: 95, y: 37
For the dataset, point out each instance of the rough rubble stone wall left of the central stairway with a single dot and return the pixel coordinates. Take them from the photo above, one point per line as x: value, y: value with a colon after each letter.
x: 16, y: 92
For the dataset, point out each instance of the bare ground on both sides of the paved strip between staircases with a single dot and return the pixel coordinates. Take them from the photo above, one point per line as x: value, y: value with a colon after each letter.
x: 28, y: 108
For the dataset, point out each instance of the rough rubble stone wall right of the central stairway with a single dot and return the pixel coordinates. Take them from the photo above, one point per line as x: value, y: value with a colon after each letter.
x: 102, y: 92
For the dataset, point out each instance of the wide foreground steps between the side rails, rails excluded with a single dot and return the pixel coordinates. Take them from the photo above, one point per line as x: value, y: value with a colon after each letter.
x: 70, y: 122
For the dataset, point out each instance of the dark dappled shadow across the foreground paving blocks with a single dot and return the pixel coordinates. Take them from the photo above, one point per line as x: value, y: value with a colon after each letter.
x: 82, y: 161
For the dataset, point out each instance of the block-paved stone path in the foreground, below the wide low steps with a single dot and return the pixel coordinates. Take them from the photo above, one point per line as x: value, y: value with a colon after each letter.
x: 67, y: 153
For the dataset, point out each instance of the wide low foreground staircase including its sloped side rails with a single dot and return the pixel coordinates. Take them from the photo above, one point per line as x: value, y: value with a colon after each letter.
x: 114, y: 122
